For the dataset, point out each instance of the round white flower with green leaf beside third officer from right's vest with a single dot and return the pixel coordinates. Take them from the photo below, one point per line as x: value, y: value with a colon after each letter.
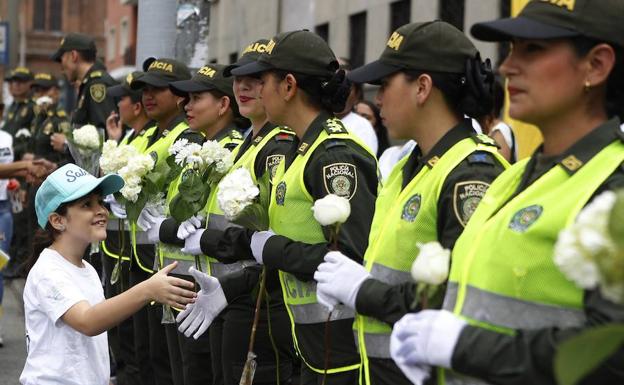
x: 243, y: 202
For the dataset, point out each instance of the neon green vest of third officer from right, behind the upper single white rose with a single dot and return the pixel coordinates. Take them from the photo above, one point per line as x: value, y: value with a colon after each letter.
x: 290, y: 215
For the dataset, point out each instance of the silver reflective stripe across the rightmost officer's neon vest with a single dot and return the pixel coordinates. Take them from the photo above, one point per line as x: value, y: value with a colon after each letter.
x: 513, y: 313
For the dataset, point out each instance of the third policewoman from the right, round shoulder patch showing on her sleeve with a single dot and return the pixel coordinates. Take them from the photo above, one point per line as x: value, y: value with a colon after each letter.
x: 301, y: 89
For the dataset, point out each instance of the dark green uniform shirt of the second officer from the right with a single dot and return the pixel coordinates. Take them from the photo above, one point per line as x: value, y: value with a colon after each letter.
x: 389, y: 303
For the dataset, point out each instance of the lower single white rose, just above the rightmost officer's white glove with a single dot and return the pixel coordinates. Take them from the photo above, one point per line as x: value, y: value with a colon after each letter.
x: 432, y: 264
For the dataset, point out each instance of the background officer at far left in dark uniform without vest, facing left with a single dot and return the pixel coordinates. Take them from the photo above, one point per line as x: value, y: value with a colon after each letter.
x: 77, y: 55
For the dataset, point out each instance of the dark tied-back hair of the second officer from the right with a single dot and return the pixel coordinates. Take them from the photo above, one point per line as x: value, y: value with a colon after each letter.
x: 478, y: 92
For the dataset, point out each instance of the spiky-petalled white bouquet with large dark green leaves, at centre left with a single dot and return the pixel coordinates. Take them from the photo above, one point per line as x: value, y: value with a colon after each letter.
x: 199, y: 168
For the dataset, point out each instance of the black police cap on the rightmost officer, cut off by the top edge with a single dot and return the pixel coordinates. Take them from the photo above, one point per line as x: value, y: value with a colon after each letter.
x: 542, y: 19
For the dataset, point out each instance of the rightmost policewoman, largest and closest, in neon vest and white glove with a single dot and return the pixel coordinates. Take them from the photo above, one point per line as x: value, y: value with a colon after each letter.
x: 563, y: 75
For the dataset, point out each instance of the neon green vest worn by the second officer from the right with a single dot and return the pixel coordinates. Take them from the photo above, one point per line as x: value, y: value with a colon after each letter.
x: 403, y: 218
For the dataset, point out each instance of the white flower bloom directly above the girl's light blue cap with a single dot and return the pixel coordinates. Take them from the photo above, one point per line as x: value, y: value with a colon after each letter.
x: 85, y: 145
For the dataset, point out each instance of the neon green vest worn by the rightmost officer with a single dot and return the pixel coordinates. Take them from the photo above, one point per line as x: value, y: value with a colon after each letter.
x: 503, y: 276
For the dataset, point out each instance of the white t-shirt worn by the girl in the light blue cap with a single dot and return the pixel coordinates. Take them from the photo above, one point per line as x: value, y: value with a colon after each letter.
x: 58, y: 354
